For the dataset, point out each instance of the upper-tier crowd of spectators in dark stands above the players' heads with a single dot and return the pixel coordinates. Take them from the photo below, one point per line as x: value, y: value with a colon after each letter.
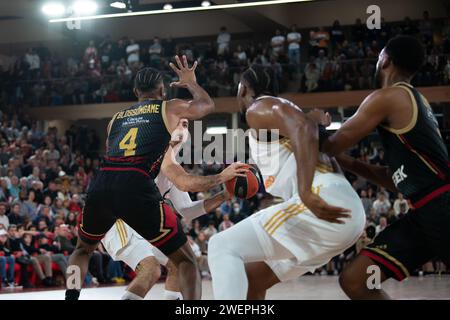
x: 322, y: 59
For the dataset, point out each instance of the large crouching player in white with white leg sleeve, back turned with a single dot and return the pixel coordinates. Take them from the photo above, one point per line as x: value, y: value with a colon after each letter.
x: 302, y: 233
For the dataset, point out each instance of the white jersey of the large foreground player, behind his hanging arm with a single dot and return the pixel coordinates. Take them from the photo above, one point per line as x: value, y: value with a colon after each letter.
x: 277, y: 164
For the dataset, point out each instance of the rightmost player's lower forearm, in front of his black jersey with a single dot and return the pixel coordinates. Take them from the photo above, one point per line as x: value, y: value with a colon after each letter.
x: 380, y: 175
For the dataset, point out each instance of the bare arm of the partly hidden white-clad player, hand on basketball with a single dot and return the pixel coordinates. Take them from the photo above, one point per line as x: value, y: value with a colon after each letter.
x: 187, y: 182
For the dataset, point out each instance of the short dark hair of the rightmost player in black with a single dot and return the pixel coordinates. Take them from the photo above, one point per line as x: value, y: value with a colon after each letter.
x: 406, y: 53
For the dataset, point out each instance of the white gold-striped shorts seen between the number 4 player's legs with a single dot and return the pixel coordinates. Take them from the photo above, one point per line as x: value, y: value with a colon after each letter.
x: 124, y: 244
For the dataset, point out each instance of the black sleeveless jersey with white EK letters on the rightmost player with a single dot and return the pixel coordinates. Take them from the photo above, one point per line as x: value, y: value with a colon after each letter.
x: 416, y: 154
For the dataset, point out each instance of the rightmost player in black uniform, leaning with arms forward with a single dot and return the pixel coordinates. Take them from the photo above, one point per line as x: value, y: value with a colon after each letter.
x: 417, y: 165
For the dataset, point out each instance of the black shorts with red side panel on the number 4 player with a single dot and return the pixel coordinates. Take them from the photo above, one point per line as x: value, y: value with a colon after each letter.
x: 134, y: 198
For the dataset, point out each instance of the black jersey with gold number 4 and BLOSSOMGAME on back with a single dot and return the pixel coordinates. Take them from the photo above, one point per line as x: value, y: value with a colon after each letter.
x: 138, y: 137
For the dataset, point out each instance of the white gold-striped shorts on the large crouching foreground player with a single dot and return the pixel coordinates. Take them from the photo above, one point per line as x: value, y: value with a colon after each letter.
x: 312, y: 241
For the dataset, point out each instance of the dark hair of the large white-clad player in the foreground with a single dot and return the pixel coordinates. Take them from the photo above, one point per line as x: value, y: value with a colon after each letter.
x: 260, y: 80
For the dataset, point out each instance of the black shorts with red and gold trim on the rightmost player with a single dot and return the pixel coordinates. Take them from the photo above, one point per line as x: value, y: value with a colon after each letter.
x: 410, y: 242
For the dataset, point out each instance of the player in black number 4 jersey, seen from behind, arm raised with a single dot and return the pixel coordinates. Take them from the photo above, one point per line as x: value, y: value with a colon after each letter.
x: 138, y: 138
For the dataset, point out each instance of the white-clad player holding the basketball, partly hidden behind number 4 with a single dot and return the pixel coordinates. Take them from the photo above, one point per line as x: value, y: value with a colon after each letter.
x: 124, y: 244
